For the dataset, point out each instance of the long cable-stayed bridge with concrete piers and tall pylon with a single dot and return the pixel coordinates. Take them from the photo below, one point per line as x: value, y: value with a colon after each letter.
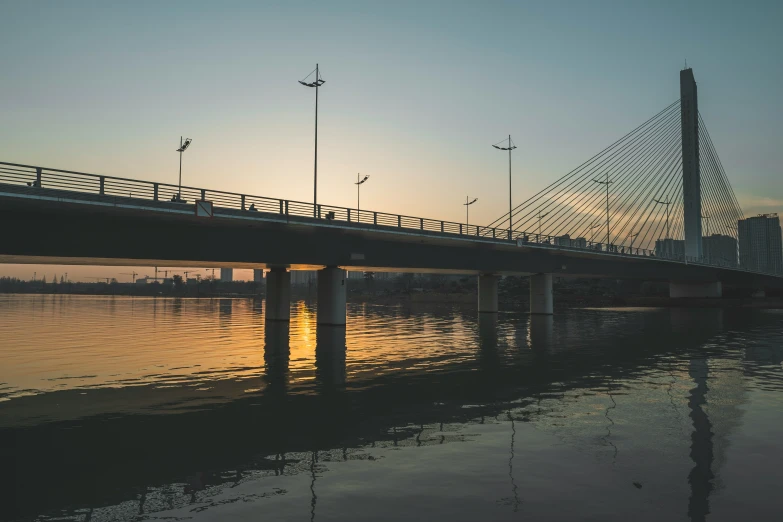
x: 624, y: 213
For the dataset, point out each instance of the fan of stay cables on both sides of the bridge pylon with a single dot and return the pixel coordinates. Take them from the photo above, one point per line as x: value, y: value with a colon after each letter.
x: 644, y: 201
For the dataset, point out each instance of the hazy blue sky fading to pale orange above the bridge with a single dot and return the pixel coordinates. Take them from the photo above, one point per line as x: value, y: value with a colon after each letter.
x: 416, y: 93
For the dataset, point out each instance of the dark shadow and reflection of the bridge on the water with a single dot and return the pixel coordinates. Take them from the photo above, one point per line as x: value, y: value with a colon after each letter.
x: 523, y: 370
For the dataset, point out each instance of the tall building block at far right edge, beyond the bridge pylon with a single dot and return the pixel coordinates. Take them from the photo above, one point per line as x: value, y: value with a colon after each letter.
x: 760, y: 243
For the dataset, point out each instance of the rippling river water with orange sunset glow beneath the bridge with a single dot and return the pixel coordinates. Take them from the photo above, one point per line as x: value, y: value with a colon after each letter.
x: 128, y: 409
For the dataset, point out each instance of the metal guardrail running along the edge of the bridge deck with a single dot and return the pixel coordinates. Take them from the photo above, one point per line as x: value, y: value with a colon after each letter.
x: 81, y: 182
